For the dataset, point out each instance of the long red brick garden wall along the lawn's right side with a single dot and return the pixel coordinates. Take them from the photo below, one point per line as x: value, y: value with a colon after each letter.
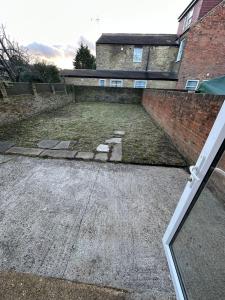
x: 186, y: 117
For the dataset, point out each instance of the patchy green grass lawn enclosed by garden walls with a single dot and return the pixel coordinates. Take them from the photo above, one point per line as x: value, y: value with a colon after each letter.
x: 92, y: 123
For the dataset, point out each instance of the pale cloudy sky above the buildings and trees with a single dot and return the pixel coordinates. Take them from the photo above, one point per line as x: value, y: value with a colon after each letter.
x: 53, y: 29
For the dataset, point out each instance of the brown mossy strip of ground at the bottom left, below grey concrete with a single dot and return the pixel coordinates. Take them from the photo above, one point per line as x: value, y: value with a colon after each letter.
x: 18, y: 286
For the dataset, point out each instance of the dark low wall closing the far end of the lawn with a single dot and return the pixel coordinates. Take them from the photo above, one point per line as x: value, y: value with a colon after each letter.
x: 107, y: 94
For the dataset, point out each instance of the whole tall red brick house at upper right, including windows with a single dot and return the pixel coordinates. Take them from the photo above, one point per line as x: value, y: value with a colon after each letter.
x: 201, y: 32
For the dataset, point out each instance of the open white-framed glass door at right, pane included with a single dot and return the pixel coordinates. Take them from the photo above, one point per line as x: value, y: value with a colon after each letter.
x: 194, y: 241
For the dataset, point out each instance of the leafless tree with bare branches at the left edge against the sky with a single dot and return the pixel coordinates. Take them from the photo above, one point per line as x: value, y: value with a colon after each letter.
x: 13, y: 58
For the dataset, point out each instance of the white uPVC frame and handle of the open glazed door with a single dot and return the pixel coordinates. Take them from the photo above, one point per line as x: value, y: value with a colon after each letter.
x: 208, y: 153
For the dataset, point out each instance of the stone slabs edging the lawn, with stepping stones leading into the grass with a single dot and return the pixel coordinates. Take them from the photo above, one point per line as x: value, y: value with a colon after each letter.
x: 110, y: 151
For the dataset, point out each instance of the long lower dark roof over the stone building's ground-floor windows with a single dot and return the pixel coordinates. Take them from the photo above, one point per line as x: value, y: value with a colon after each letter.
x: 142, y: 75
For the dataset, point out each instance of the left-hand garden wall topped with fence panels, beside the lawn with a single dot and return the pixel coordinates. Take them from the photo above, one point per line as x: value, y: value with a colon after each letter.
x: 22, y: 100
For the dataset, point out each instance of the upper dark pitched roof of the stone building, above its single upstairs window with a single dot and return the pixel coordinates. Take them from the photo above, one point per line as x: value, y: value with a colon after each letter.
x: 138, y: 39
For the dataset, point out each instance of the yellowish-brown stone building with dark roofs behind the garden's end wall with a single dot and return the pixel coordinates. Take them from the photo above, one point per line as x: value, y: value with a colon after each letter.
x: 131, y: 60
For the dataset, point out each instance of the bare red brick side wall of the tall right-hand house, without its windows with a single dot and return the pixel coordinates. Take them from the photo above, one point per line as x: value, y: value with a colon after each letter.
x: 204, y: 51
